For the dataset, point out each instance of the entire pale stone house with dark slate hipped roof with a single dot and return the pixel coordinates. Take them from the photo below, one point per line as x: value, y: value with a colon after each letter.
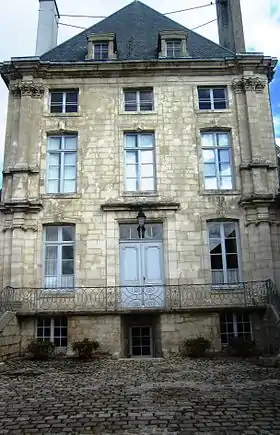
x: 100, y: 132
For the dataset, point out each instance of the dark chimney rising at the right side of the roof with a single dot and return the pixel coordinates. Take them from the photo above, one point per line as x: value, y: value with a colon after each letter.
x: 230, y: 26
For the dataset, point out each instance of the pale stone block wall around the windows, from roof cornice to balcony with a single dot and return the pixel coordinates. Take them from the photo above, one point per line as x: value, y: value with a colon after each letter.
x: 100, y: 125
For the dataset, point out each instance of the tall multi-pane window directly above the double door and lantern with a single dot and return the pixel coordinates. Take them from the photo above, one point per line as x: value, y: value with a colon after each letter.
x: 139, y: 162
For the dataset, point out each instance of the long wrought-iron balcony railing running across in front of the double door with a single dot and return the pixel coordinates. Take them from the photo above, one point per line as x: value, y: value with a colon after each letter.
x: 27, y: 301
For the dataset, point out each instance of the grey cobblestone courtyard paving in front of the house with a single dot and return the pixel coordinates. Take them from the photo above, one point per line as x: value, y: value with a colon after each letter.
x: 139, y: 397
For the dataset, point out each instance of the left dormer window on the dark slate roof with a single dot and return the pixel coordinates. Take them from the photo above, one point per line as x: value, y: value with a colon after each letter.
x: 101, y: 47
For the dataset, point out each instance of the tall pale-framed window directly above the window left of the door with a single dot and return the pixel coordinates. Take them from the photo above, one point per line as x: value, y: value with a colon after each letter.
x: 61, y: 164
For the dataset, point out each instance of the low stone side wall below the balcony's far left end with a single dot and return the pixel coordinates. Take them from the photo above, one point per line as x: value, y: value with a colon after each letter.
x: 10, y: 336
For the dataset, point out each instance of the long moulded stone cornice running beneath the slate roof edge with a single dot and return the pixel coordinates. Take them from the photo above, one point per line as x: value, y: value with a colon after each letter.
x: 17, y: 68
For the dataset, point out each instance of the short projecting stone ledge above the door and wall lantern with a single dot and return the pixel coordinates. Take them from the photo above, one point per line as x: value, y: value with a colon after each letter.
x: 135, y: 206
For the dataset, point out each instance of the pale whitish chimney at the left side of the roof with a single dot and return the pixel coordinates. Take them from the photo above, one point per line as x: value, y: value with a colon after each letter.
x: 47, y: 26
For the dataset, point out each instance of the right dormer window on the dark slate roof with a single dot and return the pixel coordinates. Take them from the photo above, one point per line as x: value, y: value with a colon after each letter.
x: 173, y: 44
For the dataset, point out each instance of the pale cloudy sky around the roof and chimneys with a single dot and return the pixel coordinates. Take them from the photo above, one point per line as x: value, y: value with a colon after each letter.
x: 18, y: 27
